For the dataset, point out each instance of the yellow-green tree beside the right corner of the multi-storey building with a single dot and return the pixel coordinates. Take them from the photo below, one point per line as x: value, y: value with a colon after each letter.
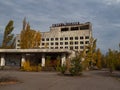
x: 89, y: 57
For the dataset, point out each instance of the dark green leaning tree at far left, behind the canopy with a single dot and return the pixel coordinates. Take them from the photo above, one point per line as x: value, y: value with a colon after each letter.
x: 8, y: 41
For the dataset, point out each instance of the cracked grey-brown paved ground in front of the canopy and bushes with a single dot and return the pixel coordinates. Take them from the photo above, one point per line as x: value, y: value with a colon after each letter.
x: 93, y: 80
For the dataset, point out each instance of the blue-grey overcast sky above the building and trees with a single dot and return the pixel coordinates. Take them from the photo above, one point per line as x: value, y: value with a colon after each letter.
x: 41, y: 14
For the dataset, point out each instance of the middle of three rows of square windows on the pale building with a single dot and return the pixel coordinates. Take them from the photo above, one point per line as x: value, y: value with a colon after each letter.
x: 66, y: 43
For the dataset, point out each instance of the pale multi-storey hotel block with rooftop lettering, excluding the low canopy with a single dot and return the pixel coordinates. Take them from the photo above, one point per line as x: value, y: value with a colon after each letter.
x: 72, y: 36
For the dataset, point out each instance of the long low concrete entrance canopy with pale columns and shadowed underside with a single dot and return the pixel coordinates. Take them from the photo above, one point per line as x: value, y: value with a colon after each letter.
x: 18, y: 56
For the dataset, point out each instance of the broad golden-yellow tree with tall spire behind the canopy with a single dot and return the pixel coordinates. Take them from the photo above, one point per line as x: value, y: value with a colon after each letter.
x: 29, y: 38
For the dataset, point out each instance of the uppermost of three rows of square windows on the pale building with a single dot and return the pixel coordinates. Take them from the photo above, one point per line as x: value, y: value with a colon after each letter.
x: 66, y: 38
